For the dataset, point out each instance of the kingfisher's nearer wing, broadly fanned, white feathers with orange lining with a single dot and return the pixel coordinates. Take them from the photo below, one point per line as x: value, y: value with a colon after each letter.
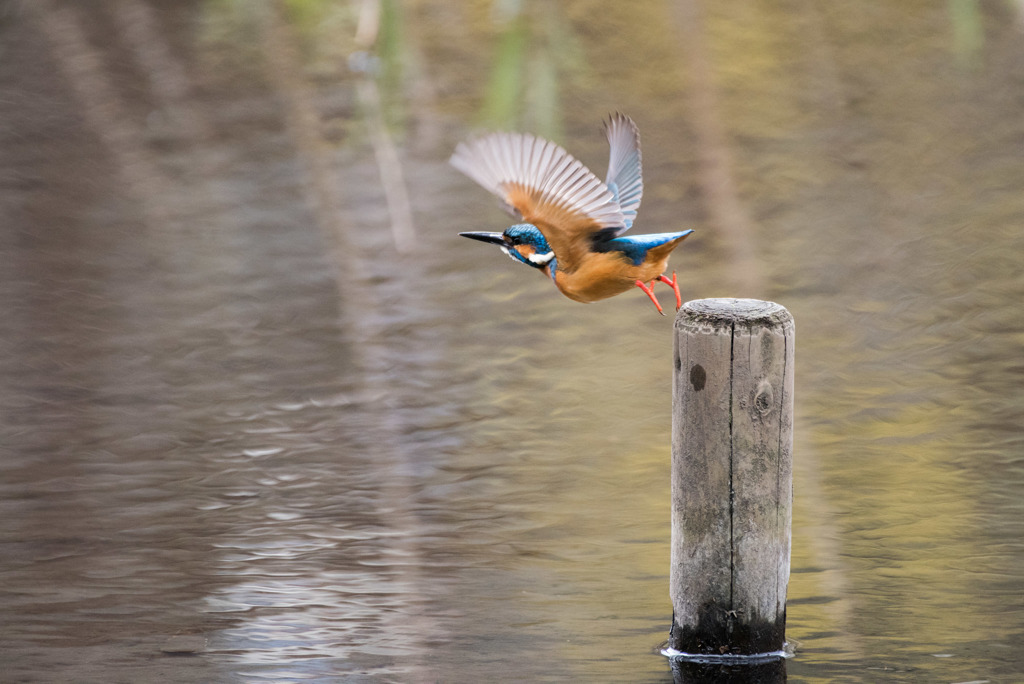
x: 543, y: 185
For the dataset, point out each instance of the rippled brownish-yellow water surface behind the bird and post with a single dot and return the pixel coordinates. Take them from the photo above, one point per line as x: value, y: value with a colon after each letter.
x: 244, y: 439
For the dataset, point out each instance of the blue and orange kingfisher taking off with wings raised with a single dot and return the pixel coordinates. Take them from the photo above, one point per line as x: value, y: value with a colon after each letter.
x: 571, y: 224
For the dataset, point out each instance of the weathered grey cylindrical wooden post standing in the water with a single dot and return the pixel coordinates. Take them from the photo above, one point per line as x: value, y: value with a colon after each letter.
x: 732, y: 477
